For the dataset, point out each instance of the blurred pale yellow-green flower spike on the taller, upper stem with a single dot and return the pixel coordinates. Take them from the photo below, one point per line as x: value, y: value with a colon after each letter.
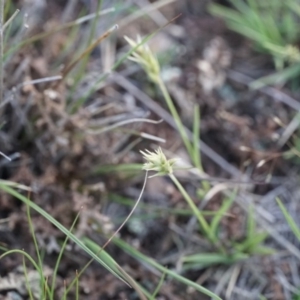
x: 144, y: 56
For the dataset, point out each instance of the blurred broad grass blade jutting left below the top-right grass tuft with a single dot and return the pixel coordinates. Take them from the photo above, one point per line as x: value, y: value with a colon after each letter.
x: 277, y: 78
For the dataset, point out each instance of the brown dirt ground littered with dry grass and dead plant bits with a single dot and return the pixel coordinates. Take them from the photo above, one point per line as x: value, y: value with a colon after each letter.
x: 54, y: 152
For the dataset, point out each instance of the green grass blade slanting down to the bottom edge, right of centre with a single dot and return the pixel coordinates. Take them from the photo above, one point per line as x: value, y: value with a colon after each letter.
x: 147, y: 260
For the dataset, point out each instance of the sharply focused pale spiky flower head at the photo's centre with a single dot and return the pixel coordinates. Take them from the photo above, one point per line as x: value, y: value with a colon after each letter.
x: 157, y: 161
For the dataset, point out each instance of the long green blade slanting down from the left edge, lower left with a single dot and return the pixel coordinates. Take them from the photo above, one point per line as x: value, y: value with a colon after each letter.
x: 76, y: 240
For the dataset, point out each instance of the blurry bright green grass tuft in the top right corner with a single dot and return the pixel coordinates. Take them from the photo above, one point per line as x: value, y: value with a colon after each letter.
x: 273, y: 27
